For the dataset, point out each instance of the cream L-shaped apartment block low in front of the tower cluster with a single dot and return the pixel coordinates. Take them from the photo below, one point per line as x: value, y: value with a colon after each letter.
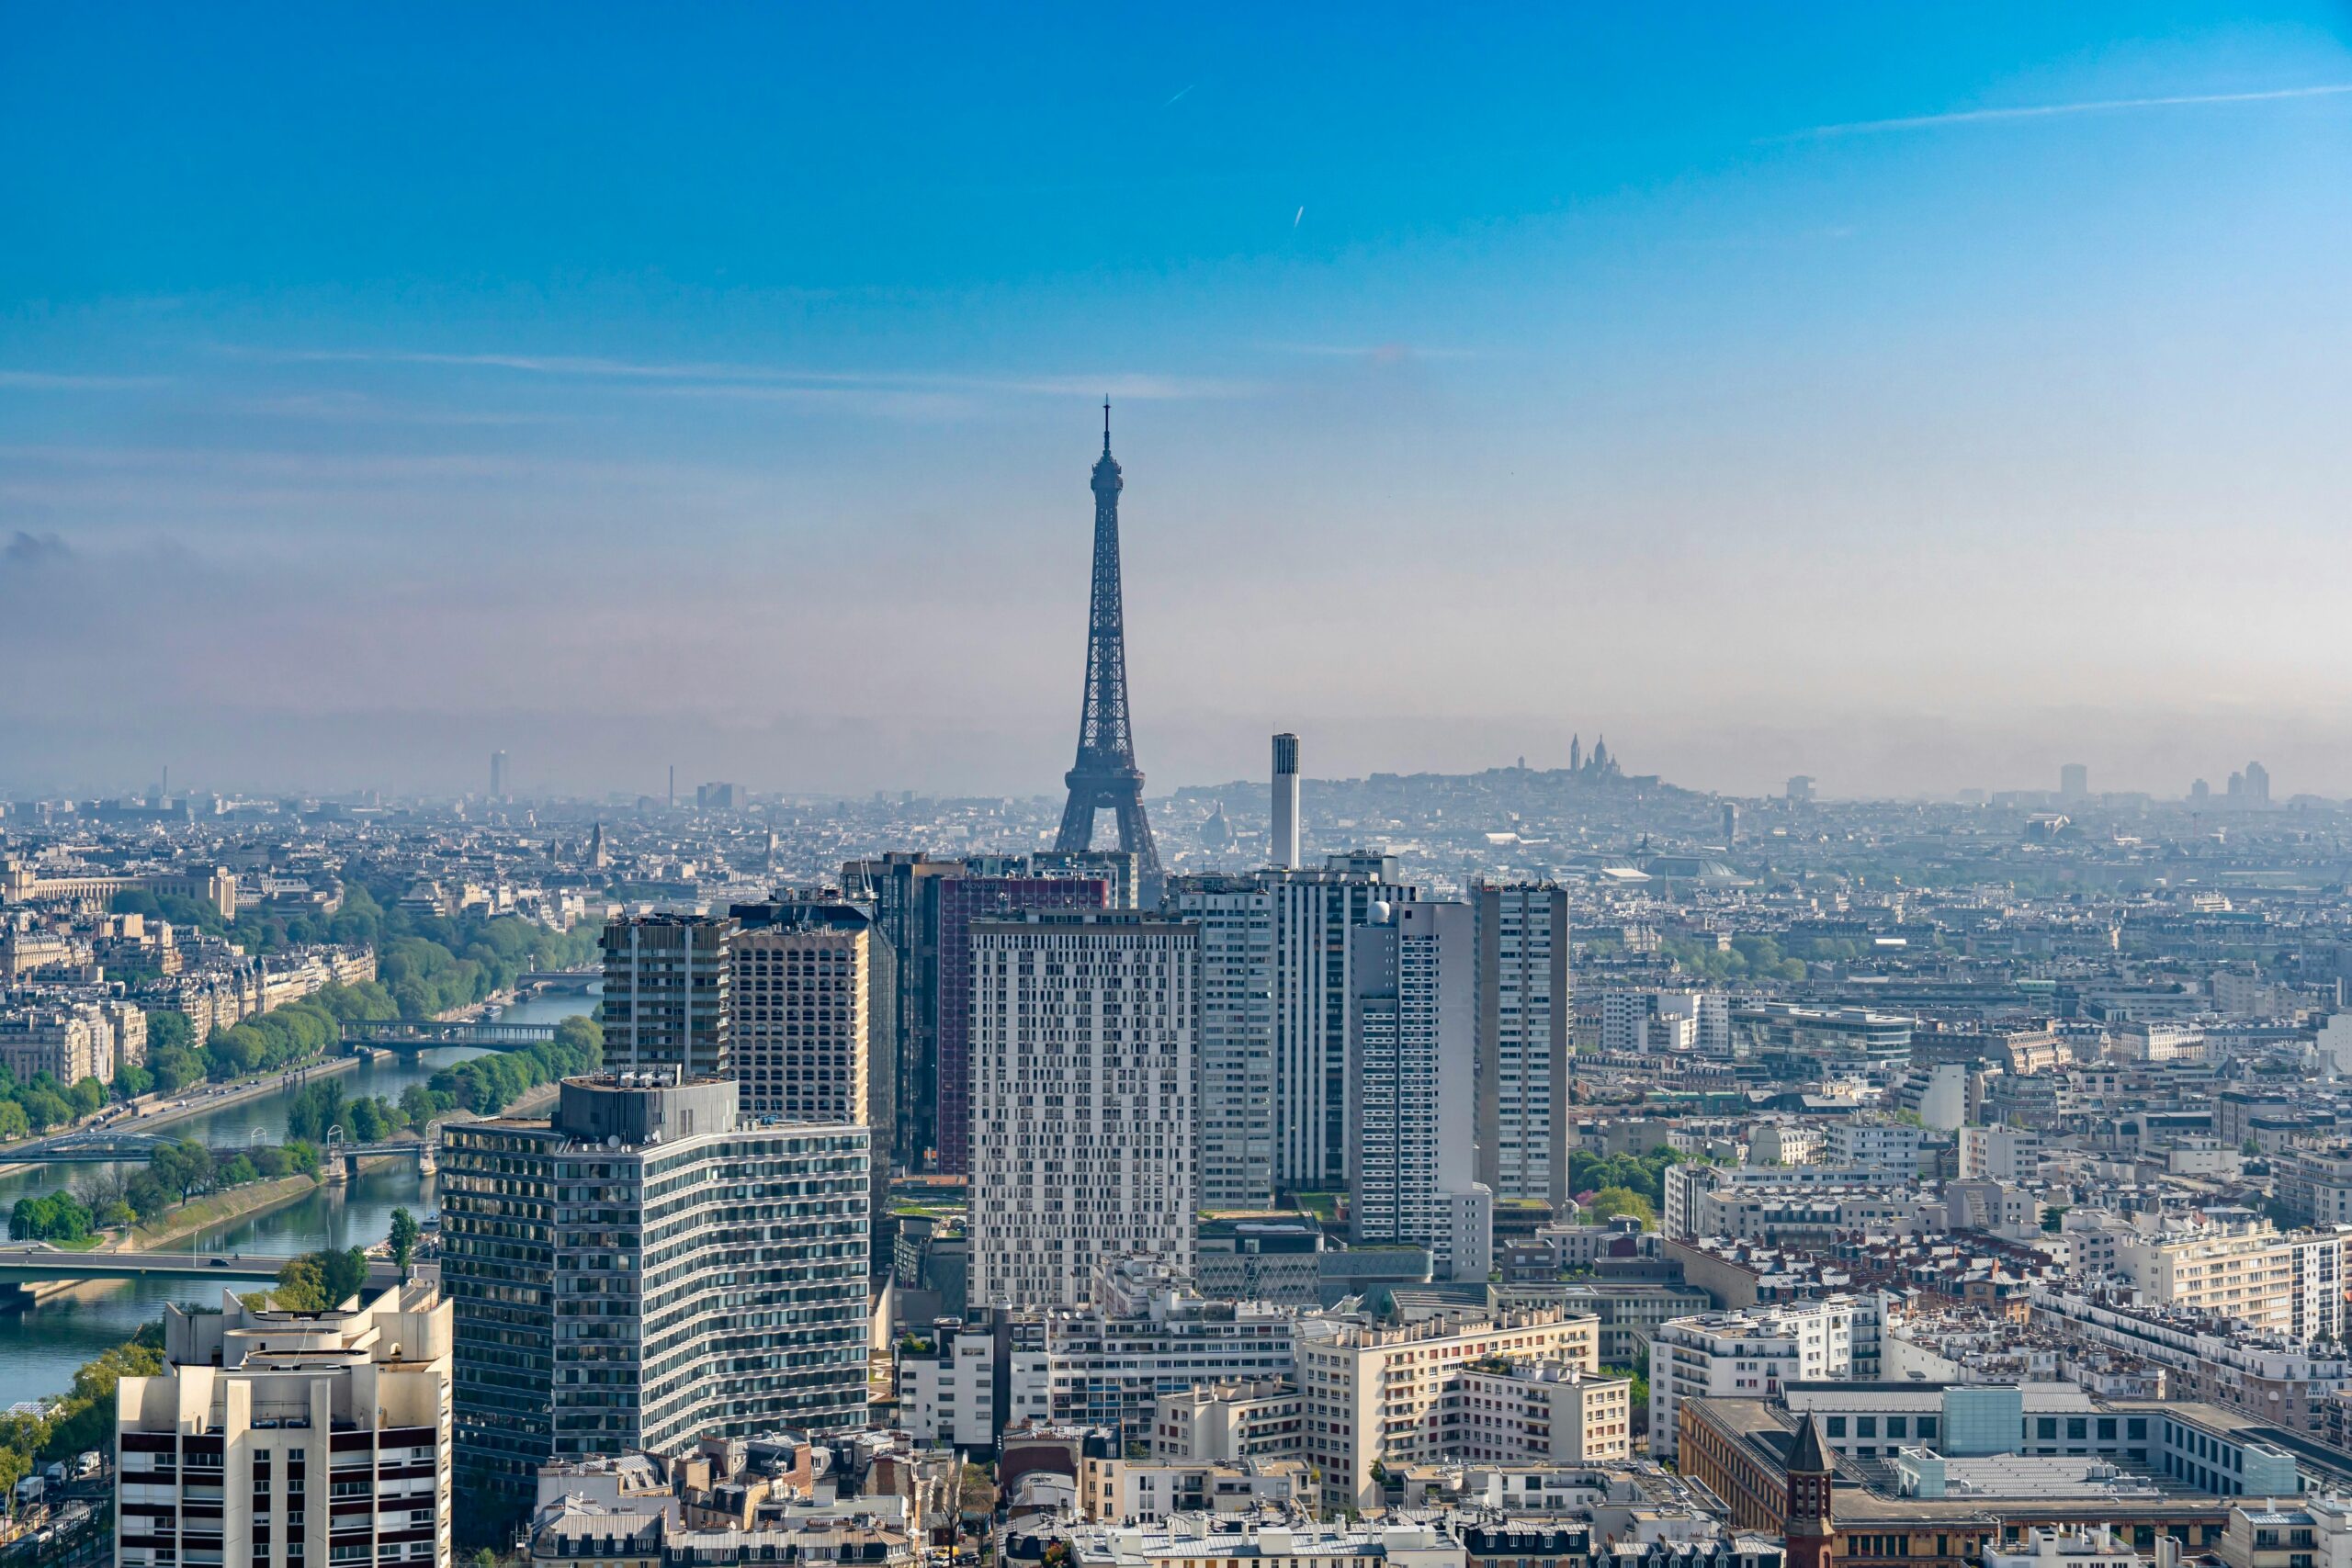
x: 1379, y: 1395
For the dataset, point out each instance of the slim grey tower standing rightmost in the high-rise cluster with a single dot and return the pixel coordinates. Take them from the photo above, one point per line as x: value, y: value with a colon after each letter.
x: 1523, y: 1040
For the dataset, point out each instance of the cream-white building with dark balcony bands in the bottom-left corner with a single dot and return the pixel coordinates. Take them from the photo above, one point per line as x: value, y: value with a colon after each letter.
x: 246, y: 1445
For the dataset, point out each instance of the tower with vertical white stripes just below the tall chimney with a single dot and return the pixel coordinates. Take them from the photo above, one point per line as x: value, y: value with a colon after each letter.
x: 1314, y: 1068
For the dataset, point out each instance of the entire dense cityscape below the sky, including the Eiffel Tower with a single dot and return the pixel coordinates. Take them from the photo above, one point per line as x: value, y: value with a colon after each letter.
x: 1495, y: 1170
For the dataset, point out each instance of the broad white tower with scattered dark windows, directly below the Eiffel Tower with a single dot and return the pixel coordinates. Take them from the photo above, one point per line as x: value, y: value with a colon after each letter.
x: 1085, y: 1038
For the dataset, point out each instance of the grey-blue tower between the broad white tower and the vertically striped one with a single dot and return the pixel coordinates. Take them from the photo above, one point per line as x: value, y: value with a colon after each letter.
x: 1236, y: 920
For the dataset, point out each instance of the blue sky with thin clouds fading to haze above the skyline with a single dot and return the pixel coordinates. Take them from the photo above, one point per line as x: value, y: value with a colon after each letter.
x: 1911, y: 396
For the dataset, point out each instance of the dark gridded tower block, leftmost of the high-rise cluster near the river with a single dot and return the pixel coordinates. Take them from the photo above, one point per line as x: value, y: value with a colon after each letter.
x: 669, y: 996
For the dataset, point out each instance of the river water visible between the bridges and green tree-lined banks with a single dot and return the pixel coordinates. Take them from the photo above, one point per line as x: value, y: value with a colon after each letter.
x: 41, y: 1348
